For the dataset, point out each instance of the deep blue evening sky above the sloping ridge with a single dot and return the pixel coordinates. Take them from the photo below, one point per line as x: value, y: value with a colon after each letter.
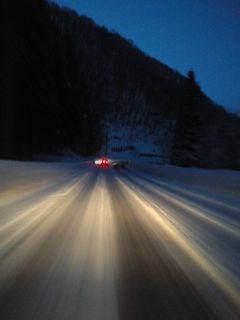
x: 200, y: 34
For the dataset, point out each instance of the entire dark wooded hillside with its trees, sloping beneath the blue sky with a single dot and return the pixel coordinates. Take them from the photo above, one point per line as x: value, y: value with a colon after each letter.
x: 63, y: 77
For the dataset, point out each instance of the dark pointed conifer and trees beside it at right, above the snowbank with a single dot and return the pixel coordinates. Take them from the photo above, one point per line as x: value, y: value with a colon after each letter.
x: 205, y: 134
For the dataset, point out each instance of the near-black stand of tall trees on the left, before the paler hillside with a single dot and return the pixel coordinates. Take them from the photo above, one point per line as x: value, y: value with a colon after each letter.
x: 44, y: 105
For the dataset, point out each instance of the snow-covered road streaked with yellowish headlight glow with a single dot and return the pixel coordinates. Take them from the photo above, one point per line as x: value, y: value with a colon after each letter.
x: 79, y: 242
